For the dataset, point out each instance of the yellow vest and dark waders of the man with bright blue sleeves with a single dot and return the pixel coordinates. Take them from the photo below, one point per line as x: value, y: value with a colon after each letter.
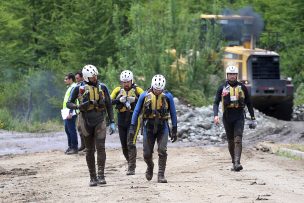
x: 155, y: 116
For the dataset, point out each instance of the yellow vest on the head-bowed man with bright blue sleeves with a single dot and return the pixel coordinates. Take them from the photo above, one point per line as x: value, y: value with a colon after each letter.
x: 156, y: 106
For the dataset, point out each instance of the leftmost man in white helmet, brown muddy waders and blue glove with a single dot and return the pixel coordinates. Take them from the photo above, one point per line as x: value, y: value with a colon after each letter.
x: 94, y: 101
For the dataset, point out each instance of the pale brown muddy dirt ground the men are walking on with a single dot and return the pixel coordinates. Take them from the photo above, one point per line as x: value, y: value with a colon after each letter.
x: 35, y: 169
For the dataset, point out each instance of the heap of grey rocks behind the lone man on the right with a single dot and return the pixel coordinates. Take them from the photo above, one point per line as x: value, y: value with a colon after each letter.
x: 195, y: 124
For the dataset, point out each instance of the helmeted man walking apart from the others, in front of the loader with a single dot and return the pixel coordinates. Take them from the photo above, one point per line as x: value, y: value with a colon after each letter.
x: 234, y: 97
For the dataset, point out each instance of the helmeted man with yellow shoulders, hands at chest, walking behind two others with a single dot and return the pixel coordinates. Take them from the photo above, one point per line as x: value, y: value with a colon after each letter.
x: 125, y: 98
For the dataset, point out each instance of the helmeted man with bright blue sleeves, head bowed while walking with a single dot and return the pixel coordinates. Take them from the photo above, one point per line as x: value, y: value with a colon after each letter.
x: 157, y: 106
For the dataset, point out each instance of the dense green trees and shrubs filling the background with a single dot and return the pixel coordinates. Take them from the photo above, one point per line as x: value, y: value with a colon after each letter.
x: 41, y: 41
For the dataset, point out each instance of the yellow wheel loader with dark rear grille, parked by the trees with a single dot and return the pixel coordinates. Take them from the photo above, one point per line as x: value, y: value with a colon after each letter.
x: 259, y: 69
